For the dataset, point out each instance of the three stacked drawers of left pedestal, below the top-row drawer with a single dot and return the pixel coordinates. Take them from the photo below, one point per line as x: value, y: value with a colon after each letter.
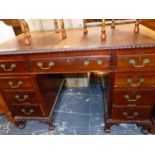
x: 21, y: 95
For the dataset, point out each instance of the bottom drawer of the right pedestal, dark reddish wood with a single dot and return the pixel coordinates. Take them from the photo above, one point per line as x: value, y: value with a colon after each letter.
x: 129, y: 114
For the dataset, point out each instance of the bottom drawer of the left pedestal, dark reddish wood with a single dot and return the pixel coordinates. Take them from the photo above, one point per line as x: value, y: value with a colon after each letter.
x: 28, y: 111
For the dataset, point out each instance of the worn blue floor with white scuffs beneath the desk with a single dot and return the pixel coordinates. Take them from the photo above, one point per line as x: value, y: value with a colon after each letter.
x: 79, y: 111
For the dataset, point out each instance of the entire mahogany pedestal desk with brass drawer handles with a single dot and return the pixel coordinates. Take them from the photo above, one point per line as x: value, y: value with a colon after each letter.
x: 31, y: 76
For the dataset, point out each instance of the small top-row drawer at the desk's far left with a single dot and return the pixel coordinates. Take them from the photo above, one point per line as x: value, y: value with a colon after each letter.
x: 13, y: 65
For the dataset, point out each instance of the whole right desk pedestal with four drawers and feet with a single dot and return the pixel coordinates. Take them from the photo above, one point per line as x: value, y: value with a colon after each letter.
x: 133, y: 94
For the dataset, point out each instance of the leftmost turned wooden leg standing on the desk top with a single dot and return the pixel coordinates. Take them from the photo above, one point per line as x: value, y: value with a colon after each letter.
x: 26, y: 31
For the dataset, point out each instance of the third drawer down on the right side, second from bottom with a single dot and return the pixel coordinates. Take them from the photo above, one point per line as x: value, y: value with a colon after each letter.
x: 133, y: 98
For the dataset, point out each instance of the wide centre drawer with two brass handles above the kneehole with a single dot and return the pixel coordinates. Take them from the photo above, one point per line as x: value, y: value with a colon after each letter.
x: 69, y: 63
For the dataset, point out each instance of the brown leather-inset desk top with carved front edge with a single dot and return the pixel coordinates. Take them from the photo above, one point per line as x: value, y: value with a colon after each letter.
x: 121, y: 37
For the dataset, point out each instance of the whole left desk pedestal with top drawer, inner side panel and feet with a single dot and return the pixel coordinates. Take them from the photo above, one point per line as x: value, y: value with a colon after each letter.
x: 24, y: 94
